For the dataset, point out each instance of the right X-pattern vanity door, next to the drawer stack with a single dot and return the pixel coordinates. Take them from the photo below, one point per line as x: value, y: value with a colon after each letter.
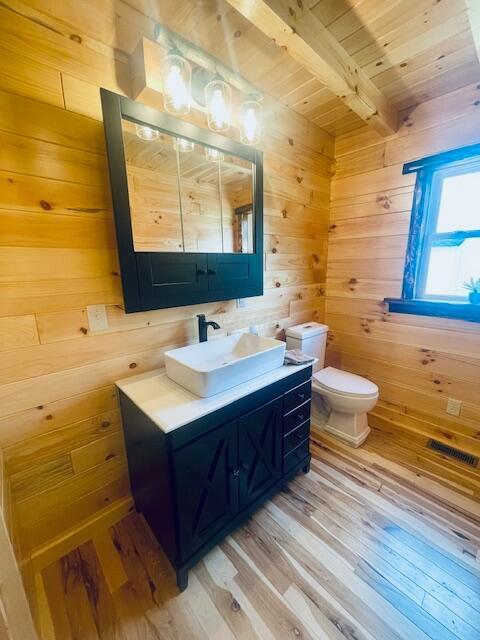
x: 260, y: 450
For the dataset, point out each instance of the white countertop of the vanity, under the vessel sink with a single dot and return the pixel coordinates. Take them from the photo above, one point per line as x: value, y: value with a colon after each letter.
x: 170, y: 406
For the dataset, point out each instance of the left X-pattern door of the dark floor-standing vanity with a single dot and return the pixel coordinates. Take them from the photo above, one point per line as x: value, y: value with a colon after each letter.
x: 206, y: 478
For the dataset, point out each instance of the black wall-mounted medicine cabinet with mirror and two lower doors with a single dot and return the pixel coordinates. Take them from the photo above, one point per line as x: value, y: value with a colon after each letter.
x: 188, y: 207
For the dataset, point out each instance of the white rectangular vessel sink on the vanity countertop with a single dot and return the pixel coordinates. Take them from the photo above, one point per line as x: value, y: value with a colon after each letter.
x: 212, y: 367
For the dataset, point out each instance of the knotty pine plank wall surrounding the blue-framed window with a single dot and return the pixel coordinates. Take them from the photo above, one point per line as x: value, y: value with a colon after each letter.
x: 418, y: 362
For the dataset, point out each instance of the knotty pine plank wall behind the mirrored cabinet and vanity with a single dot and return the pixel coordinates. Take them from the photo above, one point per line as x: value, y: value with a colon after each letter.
x: 59, y: 420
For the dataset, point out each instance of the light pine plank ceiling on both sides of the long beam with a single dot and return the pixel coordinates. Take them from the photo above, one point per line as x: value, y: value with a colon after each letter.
x: 410, y: 50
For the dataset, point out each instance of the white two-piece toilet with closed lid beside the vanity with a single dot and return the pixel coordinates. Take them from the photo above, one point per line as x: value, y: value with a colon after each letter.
x: 340, y: 400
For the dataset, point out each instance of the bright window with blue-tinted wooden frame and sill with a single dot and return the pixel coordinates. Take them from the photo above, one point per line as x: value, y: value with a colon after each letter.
x: 444, y: 244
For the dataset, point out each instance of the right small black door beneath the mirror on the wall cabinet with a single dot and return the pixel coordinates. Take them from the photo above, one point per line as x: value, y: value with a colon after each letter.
x: 234, y: 272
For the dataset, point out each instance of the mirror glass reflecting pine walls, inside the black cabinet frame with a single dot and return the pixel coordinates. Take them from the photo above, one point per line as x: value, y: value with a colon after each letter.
x: 185, y: 196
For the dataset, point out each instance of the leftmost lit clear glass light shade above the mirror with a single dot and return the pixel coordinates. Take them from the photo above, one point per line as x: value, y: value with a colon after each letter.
x: 177, y: 82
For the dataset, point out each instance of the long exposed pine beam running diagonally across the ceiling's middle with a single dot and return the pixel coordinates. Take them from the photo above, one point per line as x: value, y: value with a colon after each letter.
x: 293, y: 26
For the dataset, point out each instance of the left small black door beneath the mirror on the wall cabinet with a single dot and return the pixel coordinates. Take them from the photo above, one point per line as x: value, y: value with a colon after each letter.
x: 169, y: 279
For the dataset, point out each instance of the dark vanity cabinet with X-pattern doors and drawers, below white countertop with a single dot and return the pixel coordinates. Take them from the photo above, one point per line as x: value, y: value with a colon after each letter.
x: 197, y: 483
